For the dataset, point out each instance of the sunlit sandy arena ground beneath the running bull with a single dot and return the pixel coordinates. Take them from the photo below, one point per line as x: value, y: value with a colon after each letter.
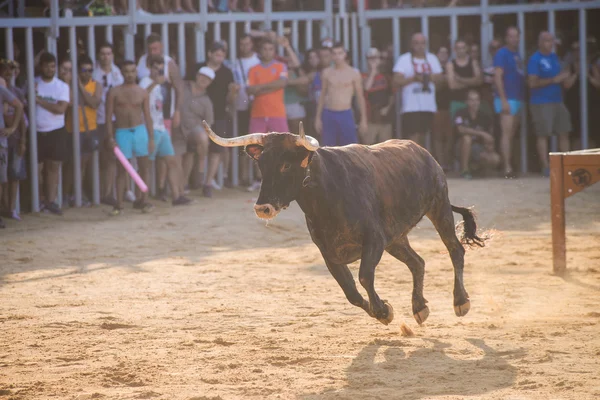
x: 208, y: 302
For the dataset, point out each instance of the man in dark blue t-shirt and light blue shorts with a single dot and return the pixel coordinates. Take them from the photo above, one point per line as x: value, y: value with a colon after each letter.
x: 509, y: 79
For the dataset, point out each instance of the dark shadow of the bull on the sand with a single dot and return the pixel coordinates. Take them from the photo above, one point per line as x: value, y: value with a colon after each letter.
x: 423, y: 373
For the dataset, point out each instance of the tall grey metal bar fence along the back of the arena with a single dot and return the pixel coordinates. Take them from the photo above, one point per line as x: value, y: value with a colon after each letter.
x: 354, y: 29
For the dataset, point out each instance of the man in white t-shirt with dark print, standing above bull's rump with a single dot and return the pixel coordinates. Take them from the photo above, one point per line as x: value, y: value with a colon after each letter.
x: 416, y: 73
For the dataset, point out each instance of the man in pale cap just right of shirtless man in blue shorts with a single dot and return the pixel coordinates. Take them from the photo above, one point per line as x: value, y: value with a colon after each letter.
x: 379, y: 99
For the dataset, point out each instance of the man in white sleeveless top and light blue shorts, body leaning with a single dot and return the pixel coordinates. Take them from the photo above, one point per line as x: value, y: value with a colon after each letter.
x: 163, y: 147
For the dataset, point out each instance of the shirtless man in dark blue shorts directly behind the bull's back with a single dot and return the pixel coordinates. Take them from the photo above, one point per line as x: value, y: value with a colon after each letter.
x: 335, y: 119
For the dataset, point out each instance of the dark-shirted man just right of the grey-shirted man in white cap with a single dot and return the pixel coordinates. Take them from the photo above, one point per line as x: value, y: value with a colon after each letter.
x: 223, y: 93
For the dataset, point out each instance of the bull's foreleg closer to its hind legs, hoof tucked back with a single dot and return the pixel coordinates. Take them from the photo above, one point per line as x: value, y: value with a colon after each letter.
x: 370, y: 257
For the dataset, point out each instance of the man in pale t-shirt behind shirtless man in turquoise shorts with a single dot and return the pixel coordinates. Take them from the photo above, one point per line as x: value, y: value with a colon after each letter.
x: 109, y: 76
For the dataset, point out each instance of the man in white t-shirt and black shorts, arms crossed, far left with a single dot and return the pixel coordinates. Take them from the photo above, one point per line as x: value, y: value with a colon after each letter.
x: 52, y: 99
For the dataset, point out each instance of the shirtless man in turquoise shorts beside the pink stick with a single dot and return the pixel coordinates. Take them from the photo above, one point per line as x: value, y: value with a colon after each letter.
x: 134, y: 133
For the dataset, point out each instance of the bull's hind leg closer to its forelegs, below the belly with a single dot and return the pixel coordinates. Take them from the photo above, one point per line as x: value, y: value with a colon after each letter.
x: 402, y: 251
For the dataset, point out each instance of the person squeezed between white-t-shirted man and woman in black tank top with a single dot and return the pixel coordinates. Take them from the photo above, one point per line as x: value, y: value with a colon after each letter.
x: 442, y: 125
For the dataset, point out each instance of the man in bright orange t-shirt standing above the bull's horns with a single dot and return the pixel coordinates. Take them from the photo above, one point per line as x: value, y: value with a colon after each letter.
x: 266, y: 82
